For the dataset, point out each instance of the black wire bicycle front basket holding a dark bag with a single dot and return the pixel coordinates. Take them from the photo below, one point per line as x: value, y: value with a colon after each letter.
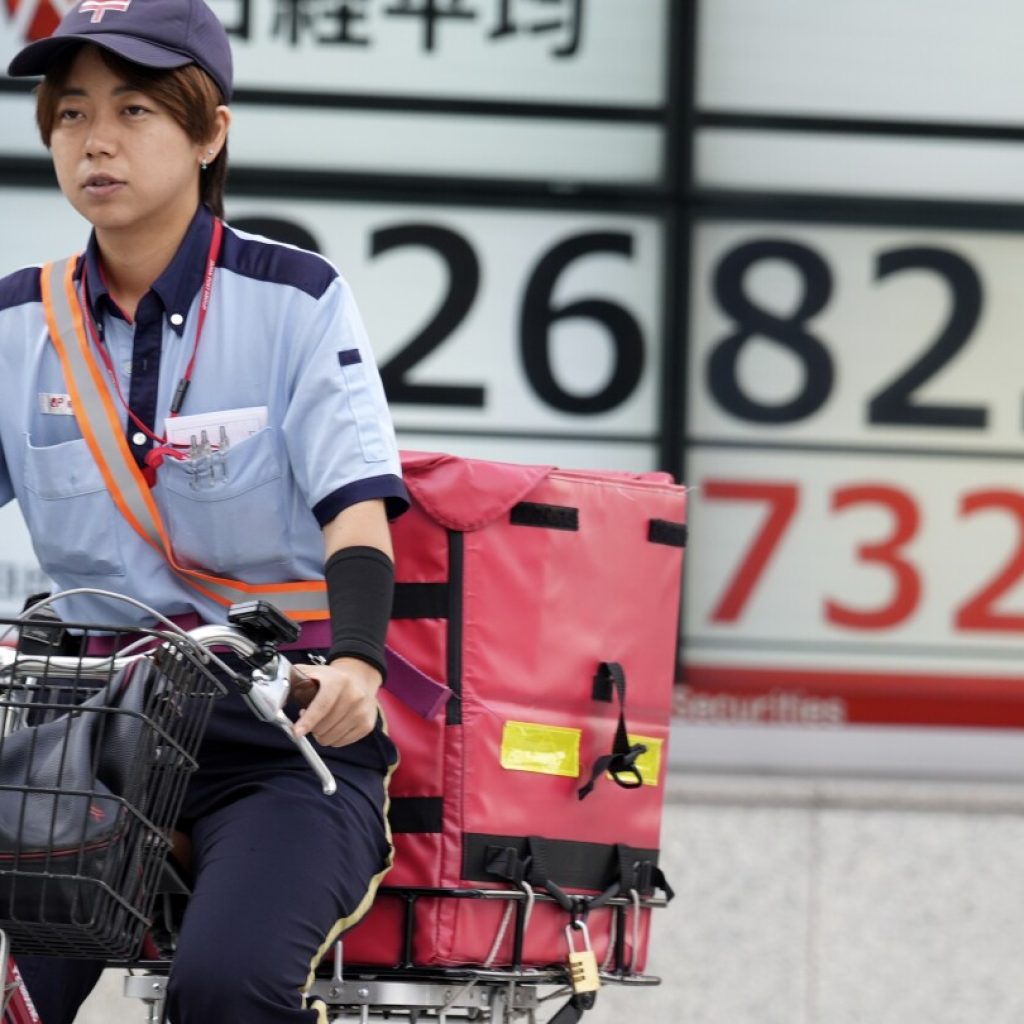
x: 94, y: 764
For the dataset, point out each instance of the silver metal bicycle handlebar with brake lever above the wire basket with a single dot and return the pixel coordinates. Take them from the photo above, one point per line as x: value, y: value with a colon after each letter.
x: 267, y: 694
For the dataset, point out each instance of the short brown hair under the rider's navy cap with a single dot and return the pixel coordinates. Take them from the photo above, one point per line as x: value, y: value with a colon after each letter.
x: 189, y: 95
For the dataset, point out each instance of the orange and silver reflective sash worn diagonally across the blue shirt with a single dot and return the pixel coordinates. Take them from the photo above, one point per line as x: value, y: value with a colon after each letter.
x: 103, y: 431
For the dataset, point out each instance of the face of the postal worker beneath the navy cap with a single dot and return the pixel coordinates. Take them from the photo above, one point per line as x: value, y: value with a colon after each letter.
x: 120, y: 158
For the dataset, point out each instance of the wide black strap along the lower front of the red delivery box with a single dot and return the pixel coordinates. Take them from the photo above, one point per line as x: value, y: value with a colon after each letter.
x: 573, y: 864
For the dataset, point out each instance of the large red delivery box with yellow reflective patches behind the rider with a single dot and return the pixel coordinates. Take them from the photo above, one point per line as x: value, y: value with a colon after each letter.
x: 547, y: 602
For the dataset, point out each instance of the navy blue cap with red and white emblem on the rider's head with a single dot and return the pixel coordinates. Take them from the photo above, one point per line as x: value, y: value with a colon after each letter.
x: 153, y: 33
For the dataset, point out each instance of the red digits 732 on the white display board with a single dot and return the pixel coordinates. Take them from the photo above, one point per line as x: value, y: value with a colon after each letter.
x: 889, y: 552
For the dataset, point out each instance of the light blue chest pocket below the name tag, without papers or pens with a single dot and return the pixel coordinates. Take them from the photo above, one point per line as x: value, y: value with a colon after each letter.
x: 70, y: 513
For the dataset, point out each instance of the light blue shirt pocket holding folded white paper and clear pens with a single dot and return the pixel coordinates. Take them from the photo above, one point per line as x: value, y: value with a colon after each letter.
x: 227, y: 514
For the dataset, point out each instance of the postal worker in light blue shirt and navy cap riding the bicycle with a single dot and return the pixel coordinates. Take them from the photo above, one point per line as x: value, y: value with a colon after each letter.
x: 186, y: 317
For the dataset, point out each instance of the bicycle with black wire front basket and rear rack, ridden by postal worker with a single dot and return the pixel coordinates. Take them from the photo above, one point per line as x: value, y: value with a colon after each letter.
x: 120, y: 901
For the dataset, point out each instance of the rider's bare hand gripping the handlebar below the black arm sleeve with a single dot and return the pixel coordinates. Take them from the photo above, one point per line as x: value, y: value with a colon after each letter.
x: 340, y: 699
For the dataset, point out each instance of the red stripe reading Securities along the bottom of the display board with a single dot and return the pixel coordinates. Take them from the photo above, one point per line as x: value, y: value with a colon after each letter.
x: 796, y: 697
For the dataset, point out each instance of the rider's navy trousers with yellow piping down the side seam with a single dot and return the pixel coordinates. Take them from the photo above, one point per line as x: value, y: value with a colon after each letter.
x: 279, y: 871
